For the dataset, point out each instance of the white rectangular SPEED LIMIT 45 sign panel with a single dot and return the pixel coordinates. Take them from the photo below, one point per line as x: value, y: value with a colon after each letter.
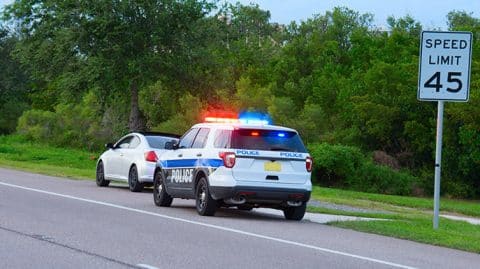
x: 444, y: 72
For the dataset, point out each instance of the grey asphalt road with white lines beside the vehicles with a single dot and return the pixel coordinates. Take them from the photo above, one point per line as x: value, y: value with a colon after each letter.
x: 48, y: 222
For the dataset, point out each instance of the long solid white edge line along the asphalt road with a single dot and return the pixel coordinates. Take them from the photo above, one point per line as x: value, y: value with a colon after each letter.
x: 288, y: 242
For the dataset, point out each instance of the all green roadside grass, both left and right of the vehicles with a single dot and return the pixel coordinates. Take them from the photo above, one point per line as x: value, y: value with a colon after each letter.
x: 408, y: 217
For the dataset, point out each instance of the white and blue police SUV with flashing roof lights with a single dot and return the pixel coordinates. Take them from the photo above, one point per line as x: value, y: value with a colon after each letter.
x: 226, y: 163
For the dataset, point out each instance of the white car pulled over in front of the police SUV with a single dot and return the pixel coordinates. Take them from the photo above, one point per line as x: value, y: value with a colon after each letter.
x: 132, y: 159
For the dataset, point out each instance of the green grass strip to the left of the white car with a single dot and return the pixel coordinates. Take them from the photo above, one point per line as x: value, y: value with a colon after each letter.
x: 16, y: 152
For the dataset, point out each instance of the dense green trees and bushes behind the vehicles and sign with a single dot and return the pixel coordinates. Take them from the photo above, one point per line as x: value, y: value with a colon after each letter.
x: 85, y: 72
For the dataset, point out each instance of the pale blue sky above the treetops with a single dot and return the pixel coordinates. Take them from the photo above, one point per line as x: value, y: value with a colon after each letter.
x: 431, y: 13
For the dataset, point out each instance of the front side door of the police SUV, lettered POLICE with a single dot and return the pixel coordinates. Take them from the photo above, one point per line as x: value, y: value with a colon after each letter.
x: 180, y: 164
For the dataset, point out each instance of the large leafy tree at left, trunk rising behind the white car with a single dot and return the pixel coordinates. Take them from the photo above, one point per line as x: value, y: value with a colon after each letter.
x: 116, y: 46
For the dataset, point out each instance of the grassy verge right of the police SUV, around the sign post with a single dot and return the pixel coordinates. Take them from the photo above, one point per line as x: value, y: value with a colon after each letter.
x: 404, y: 217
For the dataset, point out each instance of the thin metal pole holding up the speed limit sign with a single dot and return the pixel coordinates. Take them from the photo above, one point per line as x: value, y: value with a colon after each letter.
x: 438, y: 162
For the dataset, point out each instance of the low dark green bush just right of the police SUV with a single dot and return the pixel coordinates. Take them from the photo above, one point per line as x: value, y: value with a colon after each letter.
x: 346, y: 167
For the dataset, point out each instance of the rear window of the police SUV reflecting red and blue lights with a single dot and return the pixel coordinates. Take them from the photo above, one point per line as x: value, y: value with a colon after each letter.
x: 272, y: 140
